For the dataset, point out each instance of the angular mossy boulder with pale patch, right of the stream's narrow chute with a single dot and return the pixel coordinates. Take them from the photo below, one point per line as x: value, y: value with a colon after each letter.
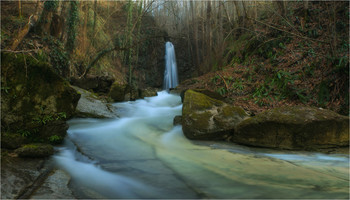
x: 206, y: 118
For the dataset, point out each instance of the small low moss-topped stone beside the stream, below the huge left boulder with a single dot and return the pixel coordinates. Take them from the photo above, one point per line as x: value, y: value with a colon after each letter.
x: 35, y: 150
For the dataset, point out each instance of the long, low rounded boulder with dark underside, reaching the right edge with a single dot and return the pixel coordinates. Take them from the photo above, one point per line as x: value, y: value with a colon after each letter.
x: 294, y: 128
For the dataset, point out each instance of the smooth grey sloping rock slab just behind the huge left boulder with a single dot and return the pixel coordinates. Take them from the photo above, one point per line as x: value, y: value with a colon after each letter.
x: 90, y: 105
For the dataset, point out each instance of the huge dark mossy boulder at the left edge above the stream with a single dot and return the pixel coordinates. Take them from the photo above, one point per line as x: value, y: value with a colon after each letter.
x: 31, y: 91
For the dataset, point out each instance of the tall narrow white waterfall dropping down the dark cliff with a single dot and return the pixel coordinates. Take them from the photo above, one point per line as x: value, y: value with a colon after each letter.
x: 170, y: 74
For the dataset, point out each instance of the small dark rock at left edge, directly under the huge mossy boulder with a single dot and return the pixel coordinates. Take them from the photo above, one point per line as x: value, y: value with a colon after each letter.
x: 12, y: 140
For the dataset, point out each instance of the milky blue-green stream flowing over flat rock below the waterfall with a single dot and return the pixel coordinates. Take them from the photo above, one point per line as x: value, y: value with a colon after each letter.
x: 142, y: 155
